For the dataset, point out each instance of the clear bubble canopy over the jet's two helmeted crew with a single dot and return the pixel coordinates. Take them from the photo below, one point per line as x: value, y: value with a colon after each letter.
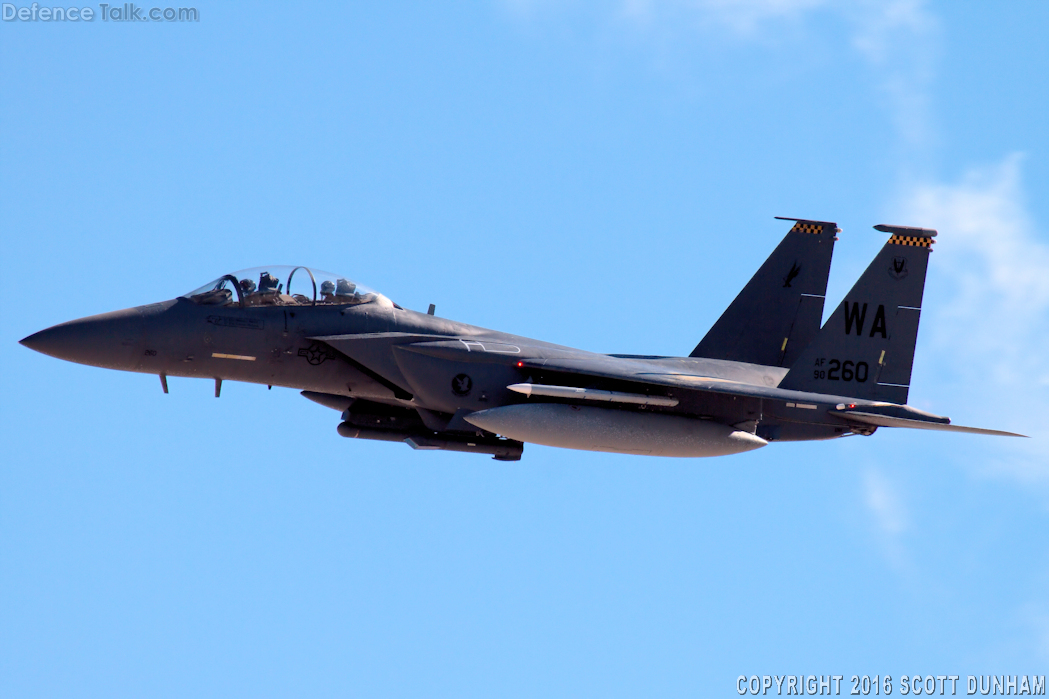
x: 285, y: 286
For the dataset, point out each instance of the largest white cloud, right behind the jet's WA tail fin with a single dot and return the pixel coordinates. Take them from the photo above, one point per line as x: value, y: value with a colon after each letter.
x: 988, y: 306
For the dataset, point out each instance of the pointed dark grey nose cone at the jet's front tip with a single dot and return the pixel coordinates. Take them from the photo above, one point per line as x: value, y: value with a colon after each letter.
x: 112, y: 341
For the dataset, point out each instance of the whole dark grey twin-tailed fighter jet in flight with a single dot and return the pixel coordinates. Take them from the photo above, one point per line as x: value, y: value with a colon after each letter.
x: 766, y: 372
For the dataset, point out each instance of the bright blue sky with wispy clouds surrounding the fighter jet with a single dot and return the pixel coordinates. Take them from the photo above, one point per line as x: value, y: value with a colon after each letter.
x: 603, y: 176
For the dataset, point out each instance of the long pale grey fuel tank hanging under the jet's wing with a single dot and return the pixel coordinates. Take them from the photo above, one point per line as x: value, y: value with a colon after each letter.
x: 623, y: 432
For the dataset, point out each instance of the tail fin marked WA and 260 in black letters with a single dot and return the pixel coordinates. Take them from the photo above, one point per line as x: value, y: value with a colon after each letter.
x: 867, y: 348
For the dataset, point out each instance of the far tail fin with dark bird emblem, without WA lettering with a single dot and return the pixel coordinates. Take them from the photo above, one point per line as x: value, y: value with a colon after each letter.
x: 780, y: 310
